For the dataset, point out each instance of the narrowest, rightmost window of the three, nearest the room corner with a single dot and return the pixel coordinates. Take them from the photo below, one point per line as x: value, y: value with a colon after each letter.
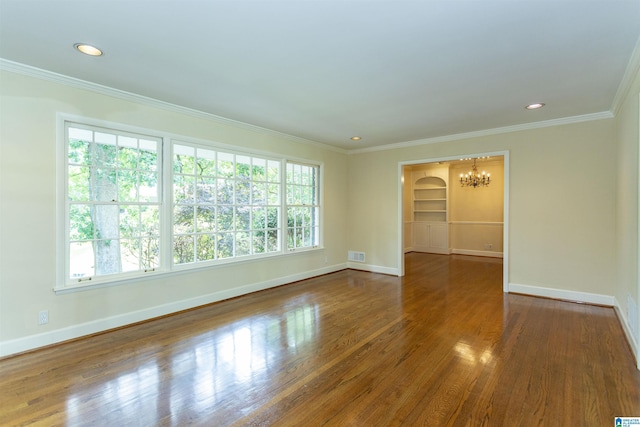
x: 303, y: 207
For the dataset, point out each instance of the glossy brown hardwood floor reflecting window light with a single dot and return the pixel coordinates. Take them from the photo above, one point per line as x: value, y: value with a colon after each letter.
x: 442, y: 346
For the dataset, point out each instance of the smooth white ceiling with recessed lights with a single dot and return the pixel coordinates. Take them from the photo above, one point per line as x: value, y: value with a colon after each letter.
x: 388, y: 71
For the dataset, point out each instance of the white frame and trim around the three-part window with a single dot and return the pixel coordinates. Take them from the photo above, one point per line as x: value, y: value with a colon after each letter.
x: 64, y: 283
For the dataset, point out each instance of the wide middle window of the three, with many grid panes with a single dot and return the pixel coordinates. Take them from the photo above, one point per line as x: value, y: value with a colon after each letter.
x: 224, y: 205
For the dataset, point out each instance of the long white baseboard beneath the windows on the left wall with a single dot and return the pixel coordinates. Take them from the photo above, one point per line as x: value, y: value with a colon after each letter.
x: 33, y: 342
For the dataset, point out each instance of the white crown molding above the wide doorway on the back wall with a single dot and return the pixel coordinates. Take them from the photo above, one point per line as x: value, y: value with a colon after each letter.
x: 488, y: 132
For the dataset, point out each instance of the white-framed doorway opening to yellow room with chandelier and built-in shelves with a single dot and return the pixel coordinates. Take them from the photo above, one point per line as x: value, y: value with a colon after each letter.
x: 438, y: 214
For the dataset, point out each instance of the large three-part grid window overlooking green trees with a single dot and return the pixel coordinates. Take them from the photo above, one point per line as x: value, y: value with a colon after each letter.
x: 219, y: 205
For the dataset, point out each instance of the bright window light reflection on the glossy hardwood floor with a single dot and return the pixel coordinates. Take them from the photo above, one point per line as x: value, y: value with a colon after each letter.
x: 216, y: 366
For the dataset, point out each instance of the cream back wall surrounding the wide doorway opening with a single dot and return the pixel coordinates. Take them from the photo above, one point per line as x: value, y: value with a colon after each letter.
x: 562, y: 235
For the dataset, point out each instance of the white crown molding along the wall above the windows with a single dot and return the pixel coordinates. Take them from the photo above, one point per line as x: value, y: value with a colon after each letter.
x: 27, y: 70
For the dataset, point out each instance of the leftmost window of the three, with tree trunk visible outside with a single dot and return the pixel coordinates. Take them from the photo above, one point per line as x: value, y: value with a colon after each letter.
x: 113, y: 202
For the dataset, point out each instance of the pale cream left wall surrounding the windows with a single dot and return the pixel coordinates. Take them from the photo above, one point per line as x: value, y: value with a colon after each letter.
x: 28, y: 217
